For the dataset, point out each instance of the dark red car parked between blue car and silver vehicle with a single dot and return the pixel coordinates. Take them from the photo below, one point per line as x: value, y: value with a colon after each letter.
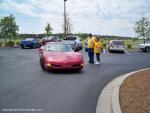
x: 49, y: 39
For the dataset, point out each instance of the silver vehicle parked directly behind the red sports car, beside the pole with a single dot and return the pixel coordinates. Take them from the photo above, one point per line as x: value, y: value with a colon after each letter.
x: 74, y: 41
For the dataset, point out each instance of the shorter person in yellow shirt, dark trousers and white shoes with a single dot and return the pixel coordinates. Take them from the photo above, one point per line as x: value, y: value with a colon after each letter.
x: 97, y: 49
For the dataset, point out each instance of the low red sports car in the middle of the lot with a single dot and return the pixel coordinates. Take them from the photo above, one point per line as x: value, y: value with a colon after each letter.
x: 57, y: 55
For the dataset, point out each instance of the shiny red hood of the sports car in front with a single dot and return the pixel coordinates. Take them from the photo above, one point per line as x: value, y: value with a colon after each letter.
x: 63, y: 56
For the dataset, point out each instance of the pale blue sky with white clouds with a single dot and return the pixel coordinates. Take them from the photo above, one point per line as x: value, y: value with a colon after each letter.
x: 104, y: 17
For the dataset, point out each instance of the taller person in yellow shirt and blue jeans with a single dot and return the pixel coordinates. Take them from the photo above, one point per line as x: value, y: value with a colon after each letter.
x: 91, y: 42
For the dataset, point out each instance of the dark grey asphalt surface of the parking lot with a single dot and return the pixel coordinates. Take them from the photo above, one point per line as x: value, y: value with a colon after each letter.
x: 23, y: 84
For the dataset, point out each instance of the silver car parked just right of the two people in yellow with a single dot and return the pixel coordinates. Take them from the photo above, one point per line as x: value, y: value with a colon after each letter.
x: 116, y: 45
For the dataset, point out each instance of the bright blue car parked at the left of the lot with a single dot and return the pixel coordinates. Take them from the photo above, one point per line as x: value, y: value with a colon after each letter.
x: 30, y: 42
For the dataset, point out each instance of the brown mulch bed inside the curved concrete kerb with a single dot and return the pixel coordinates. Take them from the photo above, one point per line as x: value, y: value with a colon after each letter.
x: 135, y: 93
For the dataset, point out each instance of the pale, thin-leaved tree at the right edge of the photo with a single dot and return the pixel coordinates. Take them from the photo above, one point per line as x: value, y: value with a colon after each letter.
x: 142, y: 28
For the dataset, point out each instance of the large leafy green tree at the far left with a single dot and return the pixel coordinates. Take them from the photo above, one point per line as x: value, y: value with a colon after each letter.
x: 8, y: 27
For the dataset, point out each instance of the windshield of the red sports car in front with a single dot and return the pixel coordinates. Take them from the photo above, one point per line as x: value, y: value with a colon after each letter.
x: 58, y: 47
